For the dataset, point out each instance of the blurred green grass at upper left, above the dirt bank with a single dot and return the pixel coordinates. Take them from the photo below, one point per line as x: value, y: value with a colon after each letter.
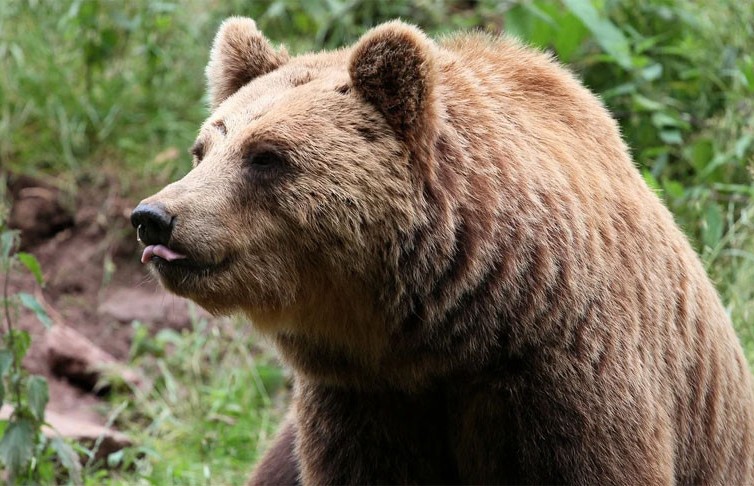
x: 91, y: 83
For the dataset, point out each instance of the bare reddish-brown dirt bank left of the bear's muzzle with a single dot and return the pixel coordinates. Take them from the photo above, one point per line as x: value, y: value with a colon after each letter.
x: 94, y: 281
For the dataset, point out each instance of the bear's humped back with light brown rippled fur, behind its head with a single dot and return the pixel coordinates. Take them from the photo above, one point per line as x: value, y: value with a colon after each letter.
x: 559, y: 243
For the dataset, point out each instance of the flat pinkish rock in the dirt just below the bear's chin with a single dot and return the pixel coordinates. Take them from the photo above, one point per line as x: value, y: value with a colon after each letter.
x: 154, y: 306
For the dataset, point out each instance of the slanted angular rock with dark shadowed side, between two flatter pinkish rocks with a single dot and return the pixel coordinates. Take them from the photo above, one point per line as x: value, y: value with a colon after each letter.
x: 73, y: 356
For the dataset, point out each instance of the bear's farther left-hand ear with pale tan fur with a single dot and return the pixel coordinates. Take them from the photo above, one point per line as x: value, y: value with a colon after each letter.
x: 239, y: 54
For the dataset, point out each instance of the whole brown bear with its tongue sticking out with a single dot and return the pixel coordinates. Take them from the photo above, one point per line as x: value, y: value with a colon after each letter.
x: 451, y: 248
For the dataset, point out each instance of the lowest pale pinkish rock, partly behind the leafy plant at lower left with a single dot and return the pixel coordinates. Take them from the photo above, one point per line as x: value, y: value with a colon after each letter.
x: 90, y: 434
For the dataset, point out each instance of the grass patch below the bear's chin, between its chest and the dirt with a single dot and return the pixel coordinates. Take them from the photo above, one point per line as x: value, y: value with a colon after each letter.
x: 216, y: 400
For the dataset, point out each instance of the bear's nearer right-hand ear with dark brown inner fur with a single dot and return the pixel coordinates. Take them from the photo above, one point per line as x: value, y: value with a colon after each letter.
x: 392, y: 67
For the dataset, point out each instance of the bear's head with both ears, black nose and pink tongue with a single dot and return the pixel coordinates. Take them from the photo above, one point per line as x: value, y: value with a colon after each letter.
x: 305, y: 177
